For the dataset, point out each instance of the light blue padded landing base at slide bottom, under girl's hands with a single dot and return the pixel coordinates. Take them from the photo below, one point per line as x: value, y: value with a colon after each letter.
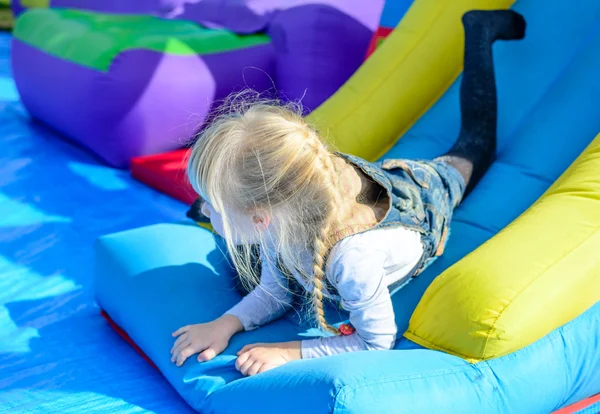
x: 163, y: 292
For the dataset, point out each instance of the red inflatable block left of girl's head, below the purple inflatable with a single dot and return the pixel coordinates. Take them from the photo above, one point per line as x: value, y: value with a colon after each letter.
x: 166, y: 173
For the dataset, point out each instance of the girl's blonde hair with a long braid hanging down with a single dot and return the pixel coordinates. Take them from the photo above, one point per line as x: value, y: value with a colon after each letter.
x: 263, y: 155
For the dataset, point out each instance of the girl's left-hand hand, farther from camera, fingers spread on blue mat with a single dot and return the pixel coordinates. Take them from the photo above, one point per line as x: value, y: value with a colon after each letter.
x: 206, y: 339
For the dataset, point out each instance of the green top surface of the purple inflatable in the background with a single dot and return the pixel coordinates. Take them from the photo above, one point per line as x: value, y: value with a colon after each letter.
x: 101, y: 37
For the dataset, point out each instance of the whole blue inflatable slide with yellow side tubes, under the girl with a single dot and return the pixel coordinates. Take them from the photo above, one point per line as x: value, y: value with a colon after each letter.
x: 506, y: 321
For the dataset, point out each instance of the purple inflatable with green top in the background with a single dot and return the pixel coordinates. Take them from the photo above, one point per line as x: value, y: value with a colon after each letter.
x: 126, y: 85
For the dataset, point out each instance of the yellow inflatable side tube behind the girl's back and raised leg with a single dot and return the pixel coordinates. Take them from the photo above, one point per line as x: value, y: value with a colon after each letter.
x: 401, y: 80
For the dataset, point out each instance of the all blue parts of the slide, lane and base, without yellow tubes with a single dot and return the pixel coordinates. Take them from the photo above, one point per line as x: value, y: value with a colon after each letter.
x: 155, y: 279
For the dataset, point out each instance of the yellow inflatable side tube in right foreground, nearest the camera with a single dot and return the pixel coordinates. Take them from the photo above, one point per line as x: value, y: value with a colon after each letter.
x: 483, y: 306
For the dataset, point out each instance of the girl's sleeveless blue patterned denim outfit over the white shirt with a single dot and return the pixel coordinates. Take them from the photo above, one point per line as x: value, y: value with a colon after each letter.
x: 423, y: 197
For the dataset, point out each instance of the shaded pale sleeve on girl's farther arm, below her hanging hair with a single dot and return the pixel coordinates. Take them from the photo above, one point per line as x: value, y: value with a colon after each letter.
x: 268, y: 301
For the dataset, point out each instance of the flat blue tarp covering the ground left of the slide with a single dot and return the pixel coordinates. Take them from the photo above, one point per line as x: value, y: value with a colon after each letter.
x: 57, y: 355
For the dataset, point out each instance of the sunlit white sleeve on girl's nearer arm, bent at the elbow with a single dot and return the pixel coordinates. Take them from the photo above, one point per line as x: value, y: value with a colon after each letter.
x: 358, y: 275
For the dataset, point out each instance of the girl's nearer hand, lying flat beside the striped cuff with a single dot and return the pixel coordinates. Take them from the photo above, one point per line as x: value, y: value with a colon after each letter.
x: 257, y: 358
